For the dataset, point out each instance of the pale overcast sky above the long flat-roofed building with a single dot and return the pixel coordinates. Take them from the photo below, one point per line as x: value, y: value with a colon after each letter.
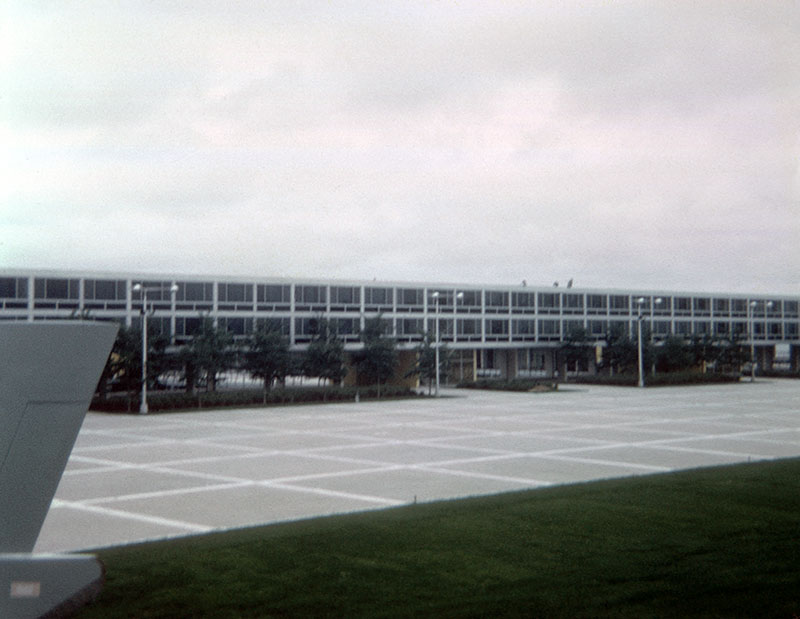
x: 623, y: 144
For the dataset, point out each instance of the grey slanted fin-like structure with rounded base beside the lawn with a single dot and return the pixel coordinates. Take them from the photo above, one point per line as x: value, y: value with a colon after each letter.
x: 48, y: 372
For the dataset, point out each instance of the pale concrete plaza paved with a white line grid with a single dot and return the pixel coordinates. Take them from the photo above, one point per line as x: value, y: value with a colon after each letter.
x: 133, y: 478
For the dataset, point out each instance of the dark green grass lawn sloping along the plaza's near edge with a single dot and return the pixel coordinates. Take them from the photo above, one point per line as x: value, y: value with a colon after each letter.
x: 718, y: 542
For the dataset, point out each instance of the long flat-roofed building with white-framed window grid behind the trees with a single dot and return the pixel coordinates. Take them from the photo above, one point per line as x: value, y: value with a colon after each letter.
x: 493, y: 330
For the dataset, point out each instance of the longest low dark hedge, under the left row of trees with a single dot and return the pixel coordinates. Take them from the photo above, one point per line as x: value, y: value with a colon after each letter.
x: 178, y: 400
